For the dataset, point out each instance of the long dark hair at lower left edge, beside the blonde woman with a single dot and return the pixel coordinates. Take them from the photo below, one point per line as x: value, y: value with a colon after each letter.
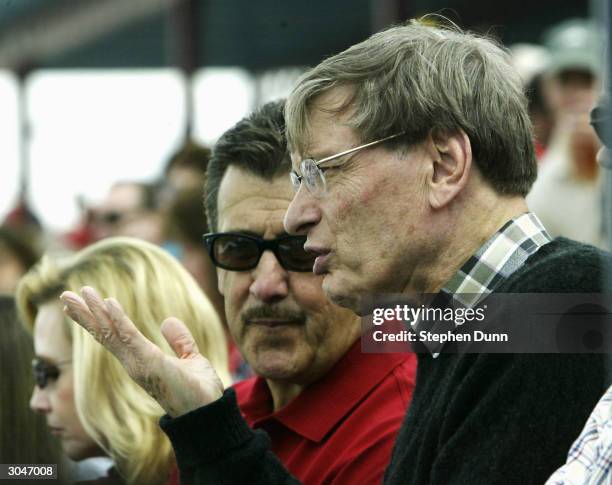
x: 24, y: 437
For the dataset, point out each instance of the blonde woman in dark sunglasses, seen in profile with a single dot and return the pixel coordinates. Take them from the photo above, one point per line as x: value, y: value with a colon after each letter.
x: 90, y: 402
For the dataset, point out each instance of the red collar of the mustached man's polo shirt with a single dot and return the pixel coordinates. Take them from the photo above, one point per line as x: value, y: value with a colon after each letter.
x: 317, y: 410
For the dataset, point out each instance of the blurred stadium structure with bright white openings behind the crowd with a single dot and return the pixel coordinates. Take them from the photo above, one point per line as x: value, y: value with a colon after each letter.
x: 96, y: 92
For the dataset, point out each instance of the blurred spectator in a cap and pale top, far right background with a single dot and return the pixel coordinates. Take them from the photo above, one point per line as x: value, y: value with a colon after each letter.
x: 567, y: 194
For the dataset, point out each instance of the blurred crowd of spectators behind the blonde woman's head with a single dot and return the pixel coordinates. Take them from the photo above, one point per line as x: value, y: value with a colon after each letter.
x: 168, y: 212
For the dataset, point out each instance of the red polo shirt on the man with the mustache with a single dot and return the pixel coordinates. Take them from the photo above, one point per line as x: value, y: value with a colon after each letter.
x: 340, y: 429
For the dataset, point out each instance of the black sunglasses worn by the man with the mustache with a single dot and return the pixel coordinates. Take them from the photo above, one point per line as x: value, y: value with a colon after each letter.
x: 235, y: 251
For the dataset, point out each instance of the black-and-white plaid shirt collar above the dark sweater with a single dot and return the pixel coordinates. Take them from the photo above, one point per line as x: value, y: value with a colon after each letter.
x: 500, y: 256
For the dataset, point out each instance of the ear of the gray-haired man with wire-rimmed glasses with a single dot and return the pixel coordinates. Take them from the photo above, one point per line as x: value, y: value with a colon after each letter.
x: 451, y: 165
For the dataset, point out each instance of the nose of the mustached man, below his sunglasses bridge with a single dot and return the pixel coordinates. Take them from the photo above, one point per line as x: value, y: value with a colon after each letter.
x: 270, y: 279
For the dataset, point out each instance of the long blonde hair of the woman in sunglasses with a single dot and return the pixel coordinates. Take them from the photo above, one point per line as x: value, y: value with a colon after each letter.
x: 150, y: 285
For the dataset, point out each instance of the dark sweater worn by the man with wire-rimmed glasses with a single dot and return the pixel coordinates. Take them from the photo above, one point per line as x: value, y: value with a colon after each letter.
x: 474, y: 418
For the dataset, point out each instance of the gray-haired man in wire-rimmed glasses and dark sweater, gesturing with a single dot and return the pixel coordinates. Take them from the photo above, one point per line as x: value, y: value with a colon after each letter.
x: 412, y: 154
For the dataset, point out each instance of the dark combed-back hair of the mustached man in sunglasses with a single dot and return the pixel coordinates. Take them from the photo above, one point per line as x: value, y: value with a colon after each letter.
x: 256, y: 144
